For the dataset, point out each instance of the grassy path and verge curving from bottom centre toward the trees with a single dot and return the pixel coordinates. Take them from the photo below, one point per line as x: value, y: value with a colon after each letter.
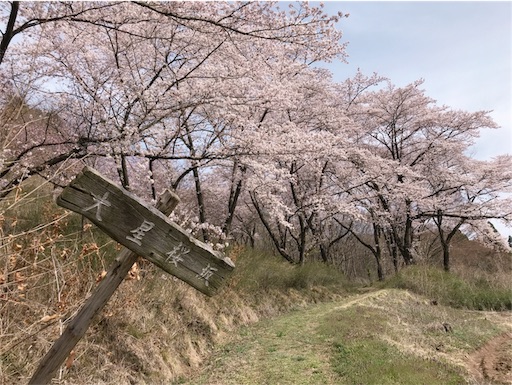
x: 382, y: 337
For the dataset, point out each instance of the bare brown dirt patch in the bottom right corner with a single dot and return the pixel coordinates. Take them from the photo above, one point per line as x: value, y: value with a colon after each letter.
x: 493, y: 361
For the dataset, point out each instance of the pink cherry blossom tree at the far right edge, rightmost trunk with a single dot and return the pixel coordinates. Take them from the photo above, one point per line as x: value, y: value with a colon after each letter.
x: 465, y: 195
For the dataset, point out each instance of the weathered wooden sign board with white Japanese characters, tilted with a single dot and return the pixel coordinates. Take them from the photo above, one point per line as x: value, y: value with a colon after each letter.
x: 145, y: 231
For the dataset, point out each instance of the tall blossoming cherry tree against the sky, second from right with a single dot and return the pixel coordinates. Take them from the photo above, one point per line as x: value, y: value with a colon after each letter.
x: 410, y: 133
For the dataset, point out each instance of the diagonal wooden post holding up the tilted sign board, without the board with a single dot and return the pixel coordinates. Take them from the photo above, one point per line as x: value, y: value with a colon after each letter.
x: 76, y: 329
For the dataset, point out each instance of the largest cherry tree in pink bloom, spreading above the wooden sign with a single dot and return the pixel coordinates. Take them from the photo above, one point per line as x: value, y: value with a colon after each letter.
x: 149, y: 81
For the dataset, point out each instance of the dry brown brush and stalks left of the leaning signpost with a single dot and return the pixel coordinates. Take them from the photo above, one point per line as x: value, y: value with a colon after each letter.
x: 44, y: 277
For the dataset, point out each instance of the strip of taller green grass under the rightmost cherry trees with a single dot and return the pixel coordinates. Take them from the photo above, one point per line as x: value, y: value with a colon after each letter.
x: 477, y: 293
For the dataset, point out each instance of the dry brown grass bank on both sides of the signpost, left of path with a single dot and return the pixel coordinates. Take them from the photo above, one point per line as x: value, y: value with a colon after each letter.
x: 155, y: 328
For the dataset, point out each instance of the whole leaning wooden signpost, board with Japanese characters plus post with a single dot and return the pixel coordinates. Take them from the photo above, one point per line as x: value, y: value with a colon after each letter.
x: 144, y: 231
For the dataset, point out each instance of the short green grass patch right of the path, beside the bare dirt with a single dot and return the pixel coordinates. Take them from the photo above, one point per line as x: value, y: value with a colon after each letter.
x: 360, y: 356
